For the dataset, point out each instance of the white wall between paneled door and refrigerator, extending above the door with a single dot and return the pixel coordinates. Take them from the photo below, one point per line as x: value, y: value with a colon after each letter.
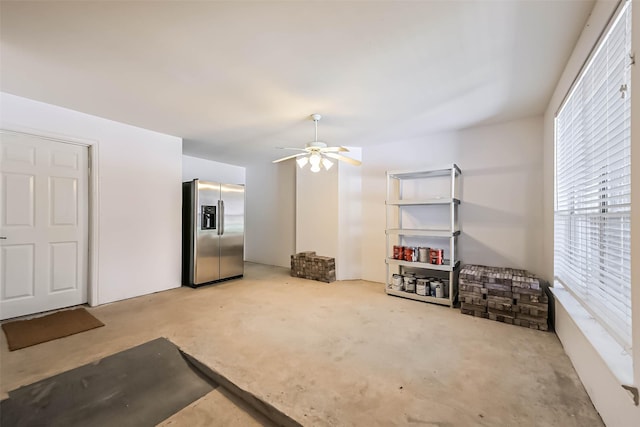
x: 138, y: 253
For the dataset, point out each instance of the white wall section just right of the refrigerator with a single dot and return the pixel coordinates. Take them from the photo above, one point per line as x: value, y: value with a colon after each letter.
x: 270, y: 213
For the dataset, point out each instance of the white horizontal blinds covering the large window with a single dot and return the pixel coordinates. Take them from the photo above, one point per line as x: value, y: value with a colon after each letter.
x: 592, y: 221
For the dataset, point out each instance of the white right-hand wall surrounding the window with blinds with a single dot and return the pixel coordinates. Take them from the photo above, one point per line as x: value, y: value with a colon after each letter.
x: 614, y: 405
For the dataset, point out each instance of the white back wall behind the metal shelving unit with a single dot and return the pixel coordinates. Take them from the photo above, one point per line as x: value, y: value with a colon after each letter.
x: 501, y: 208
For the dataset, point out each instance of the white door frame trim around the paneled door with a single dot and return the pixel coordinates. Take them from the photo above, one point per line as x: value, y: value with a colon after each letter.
x: 93, y: 198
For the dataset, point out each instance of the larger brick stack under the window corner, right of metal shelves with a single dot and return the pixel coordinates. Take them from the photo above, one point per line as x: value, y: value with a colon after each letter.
x: 507, y: 295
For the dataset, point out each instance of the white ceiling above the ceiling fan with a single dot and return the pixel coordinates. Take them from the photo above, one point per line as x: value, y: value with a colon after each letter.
x: 236, y: 79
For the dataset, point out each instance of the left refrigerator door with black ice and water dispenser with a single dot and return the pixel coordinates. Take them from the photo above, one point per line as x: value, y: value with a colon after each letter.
x: 207, y: 242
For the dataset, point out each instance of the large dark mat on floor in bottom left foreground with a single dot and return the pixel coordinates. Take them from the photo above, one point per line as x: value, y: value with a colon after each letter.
x: 137, y: 387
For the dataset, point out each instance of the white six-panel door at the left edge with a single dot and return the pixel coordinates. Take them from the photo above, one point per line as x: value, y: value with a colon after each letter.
x: 43, y: 219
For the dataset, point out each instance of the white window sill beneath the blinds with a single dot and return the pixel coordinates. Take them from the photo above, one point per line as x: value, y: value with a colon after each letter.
x: 615, y: 357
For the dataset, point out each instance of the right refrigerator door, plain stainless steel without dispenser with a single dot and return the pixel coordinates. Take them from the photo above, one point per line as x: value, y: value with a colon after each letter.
x: 232, y: 231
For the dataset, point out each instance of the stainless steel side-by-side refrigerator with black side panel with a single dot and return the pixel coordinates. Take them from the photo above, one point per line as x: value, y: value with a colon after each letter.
x: 212, y: 232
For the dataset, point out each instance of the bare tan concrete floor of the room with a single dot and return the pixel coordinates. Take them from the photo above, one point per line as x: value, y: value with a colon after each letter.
x: 343, y: 353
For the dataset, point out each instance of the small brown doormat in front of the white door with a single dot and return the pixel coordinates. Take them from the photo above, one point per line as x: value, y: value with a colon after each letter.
x: 25, y: 333
